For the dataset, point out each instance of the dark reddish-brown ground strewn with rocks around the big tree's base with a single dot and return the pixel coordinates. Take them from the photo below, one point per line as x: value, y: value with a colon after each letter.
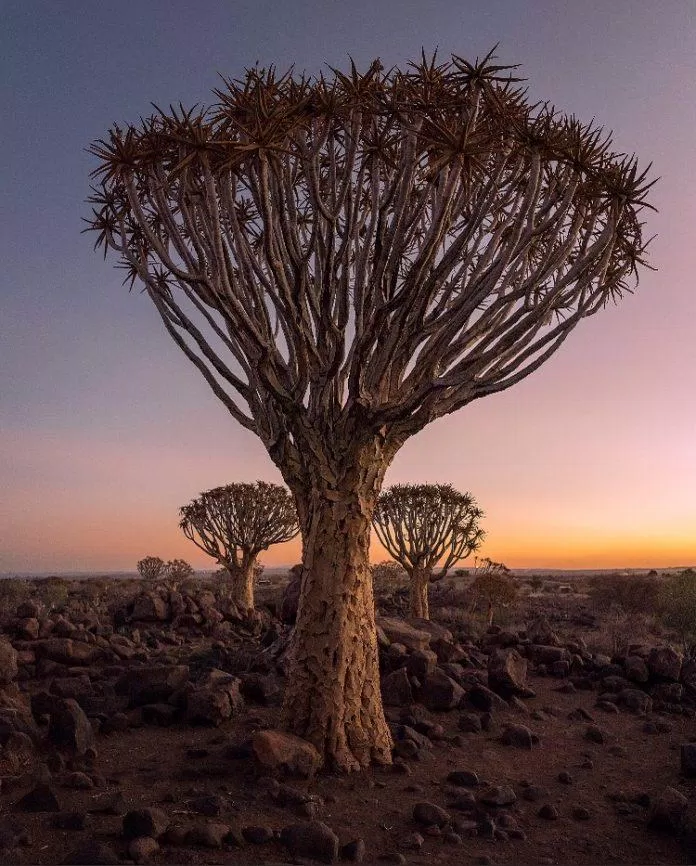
x: 145, y: 730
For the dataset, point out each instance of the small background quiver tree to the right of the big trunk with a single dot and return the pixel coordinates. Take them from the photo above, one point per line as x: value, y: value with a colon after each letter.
x: 421, y: 525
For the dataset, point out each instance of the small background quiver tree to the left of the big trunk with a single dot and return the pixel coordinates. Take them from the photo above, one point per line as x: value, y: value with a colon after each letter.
x: 233, y: 524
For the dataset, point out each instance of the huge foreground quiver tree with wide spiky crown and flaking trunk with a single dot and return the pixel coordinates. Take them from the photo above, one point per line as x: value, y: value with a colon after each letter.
x: 345, y: 259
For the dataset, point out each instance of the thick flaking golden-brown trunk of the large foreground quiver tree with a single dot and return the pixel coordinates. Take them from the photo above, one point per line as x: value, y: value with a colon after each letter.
x: 332, y: 697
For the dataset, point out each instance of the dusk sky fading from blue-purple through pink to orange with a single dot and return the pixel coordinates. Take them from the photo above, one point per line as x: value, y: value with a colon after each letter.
x: 106, y: 429
